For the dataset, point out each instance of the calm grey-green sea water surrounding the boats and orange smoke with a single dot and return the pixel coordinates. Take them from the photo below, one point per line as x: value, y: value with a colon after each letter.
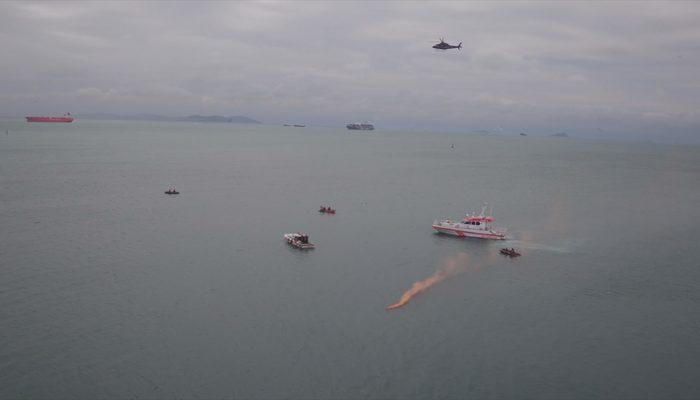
x: 109, y: 288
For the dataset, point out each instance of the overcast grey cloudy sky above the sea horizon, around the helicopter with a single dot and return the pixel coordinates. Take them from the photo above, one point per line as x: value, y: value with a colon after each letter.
x: 591, y: 69
